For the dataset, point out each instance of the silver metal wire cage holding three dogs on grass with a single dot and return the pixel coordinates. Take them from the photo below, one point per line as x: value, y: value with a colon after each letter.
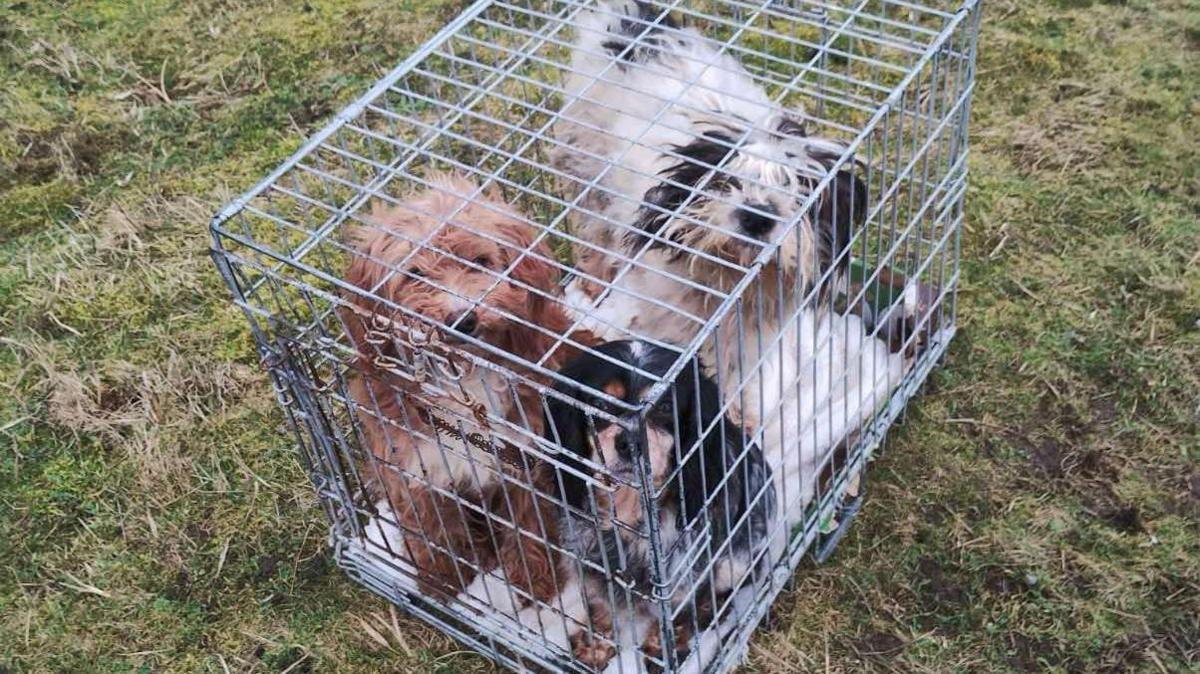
x: 589, y: 317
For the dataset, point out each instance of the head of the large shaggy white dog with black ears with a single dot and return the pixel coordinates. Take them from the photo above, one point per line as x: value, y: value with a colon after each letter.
x: 730, y: 197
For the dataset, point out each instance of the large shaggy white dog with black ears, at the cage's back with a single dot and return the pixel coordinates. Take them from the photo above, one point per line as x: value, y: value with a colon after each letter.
x: 651, y: 110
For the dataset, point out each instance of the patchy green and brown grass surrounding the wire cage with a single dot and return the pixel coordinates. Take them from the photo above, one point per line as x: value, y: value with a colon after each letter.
x: 1039, y: 511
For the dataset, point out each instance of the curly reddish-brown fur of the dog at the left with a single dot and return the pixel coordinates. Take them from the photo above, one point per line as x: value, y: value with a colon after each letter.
x: 452, y: 540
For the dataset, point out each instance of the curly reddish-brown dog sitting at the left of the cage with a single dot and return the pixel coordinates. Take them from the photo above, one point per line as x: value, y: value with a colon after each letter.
x: 445, y: 431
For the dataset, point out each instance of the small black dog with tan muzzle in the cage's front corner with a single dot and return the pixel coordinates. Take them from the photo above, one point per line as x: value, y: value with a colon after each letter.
x: 713, y: 494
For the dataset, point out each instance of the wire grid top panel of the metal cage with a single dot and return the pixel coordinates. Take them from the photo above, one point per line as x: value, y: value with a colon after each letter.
x: 463, y: 173
